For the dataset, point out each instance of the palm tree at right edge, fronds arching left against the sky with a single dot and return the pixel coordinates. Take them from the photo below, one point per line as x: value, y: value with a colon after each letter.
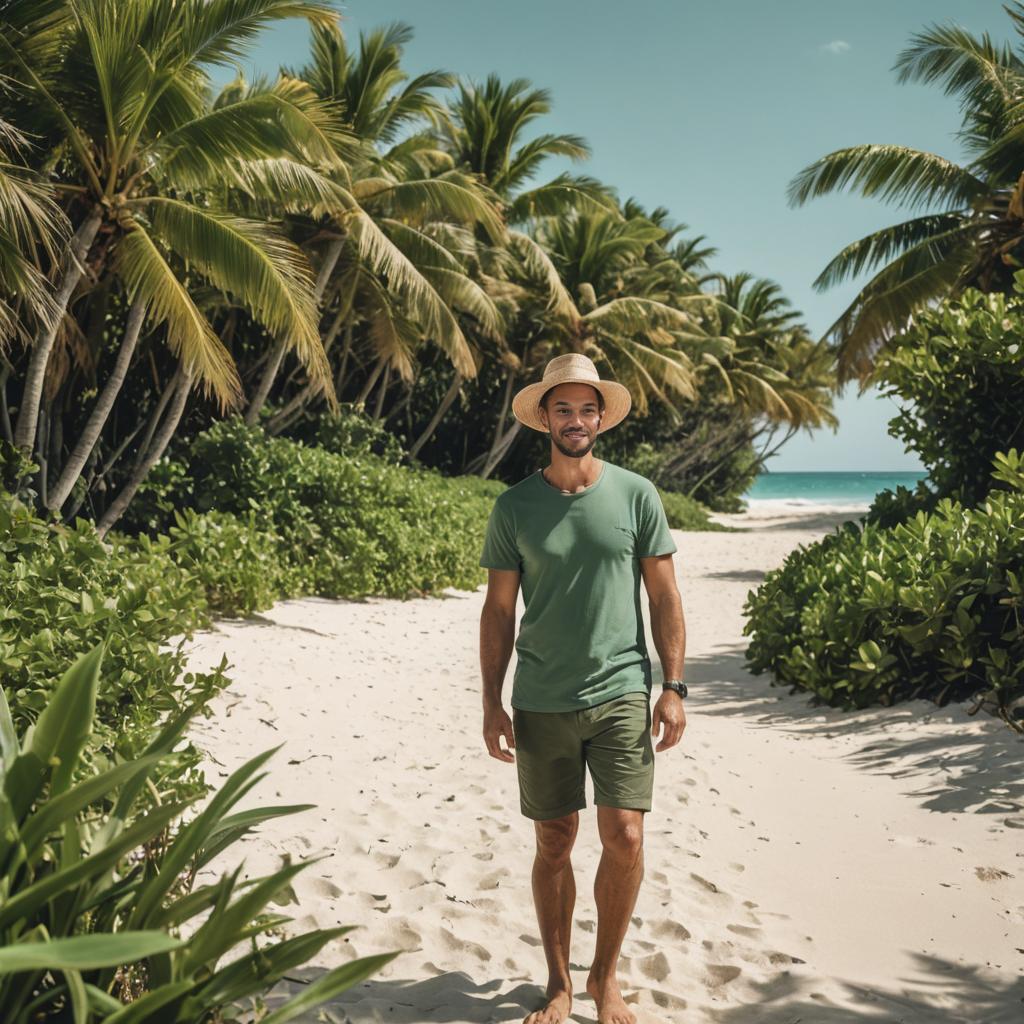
x: 970, y: 231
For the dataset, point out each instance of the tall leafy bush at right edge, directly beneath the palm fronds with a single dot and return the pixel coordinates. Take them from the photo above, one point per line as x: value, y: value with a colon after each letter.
x: 960, y: 370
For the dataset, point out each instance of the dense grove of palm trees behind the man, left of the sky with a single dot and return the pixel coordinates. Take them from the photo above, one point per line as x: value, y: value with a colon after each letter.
x: 339, y: 232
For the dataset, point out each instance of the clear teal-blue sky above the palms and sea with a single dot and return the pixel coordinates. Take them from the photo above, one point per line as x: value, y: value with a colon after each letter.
x: 709, y: 108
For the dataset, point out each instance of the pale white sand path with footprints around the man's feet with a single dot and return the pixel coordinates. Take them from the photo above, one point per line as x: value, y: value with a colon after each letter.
x: 803, y: 865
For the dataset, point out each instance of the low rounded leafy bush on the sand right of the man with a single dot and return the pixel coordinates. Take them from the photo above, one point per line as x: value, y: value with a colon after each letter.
x: 928, y: 609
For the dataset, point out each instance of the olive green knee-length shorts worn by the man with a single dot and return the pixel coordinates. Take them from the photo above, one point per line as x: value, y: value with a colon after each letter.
x: 613, y: 740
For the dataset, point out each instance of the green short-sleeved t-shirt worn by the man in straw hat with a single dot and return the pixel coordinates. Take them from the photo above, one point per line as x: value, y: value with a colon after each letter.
x: 581, y: 639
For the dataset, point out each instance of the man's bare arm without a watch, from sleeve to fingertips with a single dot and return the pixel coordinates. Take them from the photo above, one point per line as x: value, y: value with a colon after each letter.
x: 497, y: 642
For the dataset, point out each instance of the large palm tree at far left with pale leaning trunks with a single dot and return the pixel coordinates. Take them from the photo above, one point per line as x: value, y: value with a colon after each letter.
x: 121, y: 97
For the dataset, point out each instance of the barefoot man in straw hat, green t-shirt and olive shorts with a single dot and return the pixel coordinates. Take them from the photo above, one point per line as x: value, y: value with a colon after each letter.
x: 579, y: 536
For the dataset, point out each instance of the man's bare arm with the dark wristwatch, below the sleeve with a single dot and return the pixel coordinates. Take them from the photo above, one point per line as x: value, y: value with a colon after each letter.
x: 669, y: 631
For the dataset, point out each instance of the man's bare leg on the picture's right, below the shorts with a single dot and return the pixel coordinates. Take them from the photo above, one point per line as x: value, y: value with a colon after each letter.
x: 616, y: 891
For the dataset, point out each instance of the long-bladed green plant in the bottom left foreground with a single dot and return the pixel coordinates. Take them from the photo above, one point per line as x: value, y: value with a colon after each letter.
x: 98, y: 882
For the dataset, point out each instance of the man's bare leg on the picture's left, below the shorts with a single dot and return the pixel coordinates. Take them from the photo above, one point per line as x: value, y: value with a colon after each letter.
x: 554, y: 898
